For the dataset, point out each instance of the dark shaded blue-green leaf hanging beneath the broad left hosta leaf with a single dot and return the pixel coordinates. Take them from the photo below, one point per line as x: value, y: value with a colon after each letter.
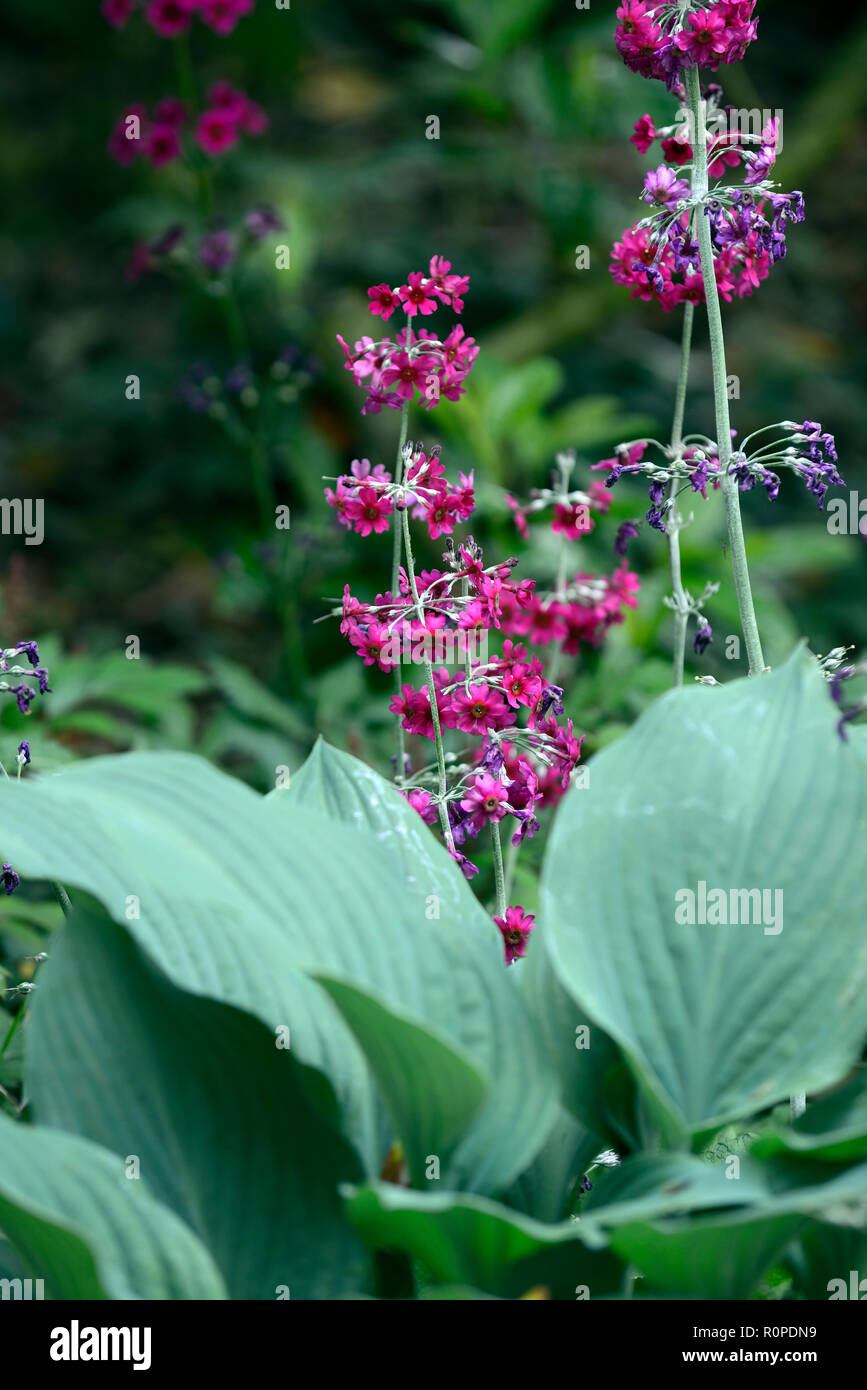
x: 219, y: 1117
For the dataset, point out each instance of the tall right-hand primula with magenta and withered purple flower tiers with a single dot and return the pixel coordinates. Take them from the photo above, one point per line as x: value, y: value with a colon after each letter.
x: 701, y: 244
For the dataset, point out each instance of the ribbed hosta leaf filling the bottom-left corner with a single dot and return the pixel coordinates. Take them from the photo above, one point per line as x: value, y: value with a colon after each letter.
x: 77, y: 1223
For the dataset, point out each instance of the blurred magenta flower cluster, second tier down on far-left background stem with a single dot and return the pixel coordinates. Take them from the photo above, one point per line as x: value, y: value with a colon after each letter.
x: 159, y: 136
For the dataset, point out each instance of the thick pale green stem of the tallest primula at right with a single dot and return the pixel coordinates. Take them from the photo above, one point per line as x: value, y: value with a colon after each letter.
x: 718, y: 355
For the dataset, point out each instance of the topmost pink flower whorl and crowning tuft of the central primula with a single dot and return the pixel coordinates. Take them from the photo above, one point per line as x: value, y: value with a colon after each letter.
x: 391, y: 370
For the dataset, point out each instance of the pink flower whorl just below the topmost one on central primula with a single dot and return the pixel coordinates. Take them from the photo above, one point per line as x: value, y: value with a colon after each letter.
x: 366, y: 498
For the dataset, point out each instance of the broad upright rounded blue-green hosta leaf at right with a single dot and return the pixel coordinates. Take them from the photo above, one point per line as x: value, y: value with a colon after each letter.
x: 738, y: 787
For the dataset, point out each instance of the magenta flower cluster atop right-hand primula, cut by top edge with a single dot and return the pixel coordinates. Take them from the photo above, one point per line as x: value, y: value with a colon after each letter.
x: 661, y: 38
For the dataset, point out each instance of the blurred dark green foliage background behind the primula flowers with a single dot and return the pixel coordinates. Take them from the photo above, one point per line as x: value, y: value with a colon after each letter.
x: 151, y: 514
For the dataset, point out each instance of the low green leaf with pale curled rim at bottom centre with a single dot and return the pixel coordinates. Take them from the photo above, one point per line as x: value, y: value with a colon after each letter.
x: 473, y: 1241
